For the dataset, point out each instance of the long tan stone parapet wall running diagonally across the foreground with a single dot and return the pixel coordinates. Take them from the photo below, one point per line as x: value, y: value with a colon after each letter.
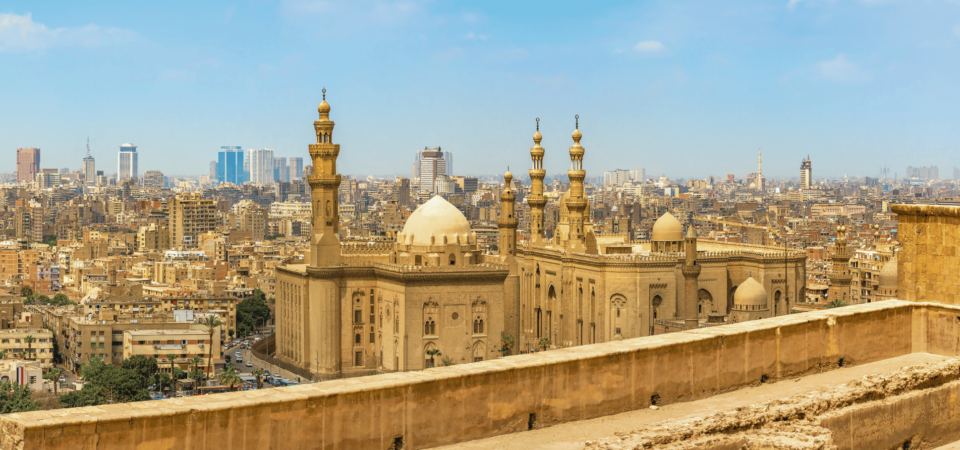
x: 466, y: 402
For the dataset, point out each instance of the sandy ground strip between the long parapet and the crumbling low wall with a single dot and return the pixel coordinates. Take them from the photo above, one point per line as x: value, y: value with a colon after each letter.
x: 574, y: 435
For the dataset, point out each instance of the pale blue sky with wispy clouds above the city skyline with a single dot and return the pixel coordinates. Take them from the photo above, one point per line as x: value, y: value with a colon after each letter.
x: 687, y: 89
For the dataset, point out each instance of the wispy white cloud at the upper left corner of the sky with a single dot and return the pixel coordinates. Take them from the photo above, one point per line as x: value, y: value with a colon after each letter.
x: 21, y: 33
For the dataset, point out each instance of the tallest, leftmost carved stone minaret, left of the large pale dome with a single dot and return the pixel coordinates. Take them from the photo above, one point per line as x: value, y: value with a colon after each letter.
x: 325, y: 183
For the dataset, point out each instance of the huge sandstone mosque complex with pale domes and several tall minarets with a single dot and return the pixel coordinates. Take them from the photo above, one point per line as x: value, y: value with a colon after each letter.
x: 434, y: 297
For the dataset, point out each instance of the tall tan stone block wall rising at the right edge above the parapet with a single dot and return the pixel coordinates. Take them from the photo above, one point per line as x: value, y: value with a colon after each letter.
x: 928, y: 262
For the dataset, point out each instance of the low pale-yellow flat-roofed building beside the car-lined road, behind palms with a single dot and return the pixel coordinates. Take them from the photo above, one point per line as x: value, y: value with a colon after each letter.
x: 185, y: 344
